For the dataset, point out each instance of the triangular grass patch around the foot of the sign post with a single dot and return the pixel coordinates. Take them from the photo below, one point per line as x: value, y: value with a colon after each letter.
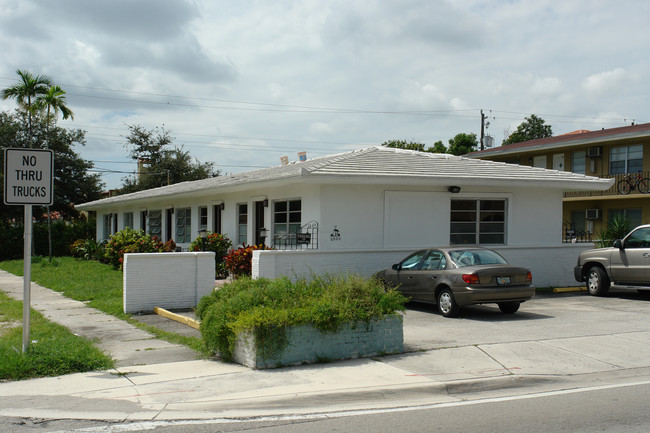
x: 53, y: 349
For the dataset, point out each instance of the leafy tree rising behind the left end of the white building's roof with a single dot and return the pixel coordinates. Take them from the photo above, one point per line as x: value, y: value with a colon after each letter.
x: 161, y: 165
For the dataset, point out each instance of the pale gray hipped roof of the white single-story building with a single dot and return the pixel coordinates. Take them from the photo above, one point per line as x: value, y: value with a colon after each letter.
x: 380, y: 165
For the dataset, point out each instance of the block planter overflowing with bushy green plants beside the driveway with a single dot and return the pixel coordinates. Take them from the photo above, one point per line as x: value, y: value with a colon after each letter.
x: 268, y: 323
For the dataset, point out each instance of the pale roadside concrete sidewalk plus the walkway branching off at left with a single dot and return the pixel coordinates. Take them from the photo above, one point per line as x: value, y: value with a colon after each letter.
x: 205, y: 389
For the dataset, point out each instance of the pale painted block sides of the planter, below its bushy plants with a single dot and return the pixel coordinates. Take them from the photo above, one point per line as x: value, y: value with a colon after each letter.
x: 307, y: 344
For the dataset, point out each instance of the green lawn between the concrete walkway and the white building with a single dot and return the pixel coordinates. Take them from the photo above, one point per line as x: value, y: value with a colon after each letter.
x: 96, y: 284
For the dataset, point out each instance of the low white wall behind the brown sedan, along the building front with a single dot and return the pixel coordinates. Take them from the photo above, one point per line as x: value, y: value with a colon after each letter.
x: 551, y: 266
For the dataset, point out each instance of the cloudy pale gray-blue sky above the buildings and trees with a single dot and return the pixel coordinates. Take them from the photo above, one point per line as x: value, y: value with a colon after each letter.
x: 242, y: 83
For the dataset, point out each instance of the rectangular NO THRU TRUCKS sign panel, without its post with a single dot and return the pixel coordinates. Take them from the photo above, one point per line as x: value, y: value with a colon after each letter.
x: 29, y: 176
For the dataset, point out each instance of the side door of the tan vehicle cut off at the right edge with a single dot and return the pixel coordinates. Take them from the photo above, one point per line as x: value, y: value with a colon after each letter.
x: 630, y: 264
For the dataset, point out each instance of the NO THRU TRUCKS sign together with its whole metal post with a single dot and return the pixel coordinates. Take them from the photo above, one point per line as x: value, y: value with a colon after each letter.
x: 29, y: 178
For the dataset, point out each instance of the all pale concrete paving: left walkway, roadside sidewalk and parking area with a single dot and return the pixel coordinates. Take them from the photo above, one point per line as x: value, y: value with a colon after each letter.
x: 553, y: 342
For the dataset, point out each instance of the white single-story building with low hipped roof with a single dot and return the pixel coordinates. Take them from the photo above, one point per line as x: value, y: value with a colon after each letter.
x: 360, y: 211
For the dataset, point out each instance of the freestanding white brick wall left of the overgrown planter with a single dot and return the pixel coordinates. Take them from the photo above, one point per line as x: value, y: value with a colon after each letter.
x: 166, y: 280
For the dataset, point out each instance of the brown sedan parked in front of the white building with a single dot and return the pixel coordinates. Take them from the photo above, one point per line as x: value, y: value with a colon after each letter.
x: 453, y: 277
